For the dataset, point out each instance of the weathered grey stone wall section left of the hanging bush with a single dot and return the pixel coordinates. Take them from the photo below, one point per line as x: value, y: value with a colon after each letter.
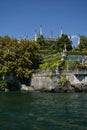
x: 44, y: 80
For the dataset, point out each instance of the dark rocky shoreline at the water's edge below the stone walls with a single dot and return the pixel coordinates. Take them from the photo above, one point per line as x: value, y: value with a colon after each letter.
x: 60, y: 88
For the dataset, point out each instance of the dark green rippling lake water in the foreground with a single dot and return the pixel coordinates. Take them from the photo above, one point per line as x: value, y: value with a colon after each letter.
x: 43, y: 111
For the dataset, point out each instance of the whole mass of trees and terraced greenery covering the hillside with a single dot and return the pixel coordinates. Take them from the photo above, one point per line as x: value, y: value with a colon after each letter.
x: 23, y: 57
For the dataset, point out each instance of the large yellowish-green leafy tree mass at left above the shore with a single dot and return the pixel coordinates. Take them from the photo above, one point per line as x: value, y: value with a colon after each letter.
x: 18, y: 57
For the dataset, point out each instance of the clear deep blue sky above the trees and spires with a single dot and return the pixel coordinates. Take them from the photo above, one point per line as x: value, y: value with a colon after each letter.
x: 20, y: 18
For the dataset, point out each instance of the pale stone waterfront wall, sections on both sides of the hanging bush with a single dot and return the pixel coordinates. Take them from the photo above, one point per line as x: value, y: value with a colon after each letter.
x: 49, y: 80
